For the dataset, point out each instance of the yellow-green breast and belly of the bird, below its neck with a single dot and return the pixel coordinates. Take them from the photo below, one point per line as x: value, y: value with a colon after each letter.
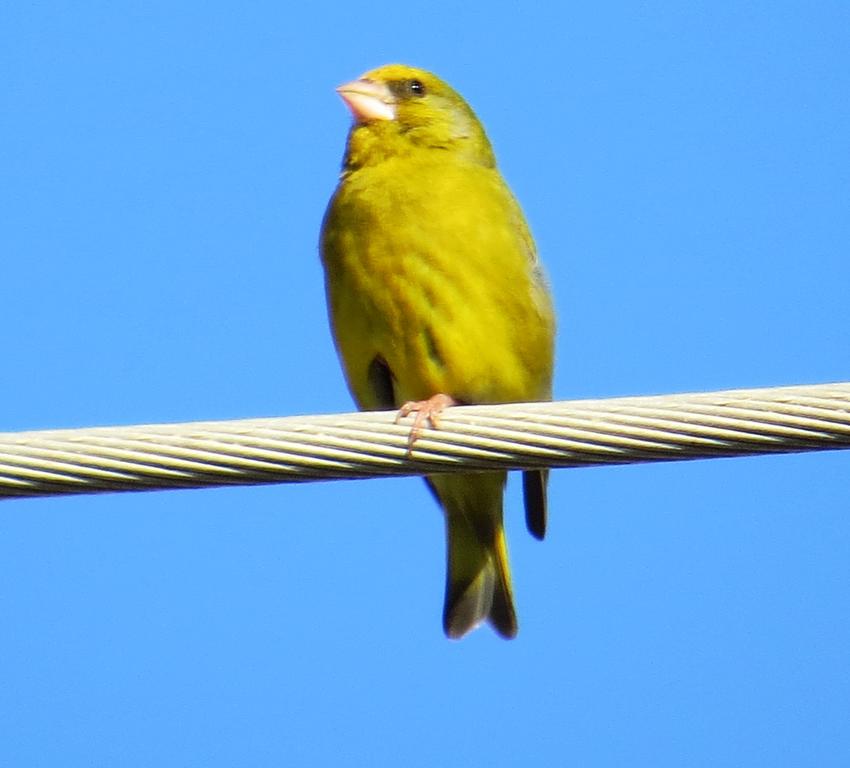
x: 428, y: 271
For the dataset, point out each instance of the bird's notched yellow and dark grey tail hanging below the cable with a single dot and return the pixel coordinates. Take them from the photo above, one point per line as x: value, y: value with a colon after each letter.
x: 478, y: 578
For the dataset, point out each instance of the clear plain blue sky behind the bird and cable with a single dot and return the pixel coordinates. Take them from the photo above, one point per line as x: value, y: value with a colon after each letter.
x: 685, y: 170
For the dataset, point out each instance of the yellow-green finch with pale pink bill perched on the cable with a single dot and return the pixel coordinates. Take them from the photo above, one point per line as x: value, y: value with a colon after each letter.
x: 436, y: 297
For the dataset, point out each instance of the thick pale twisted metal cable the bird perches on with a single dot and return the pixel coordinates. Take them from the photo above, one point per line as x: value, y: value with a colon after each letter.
x: 514, y: 436
